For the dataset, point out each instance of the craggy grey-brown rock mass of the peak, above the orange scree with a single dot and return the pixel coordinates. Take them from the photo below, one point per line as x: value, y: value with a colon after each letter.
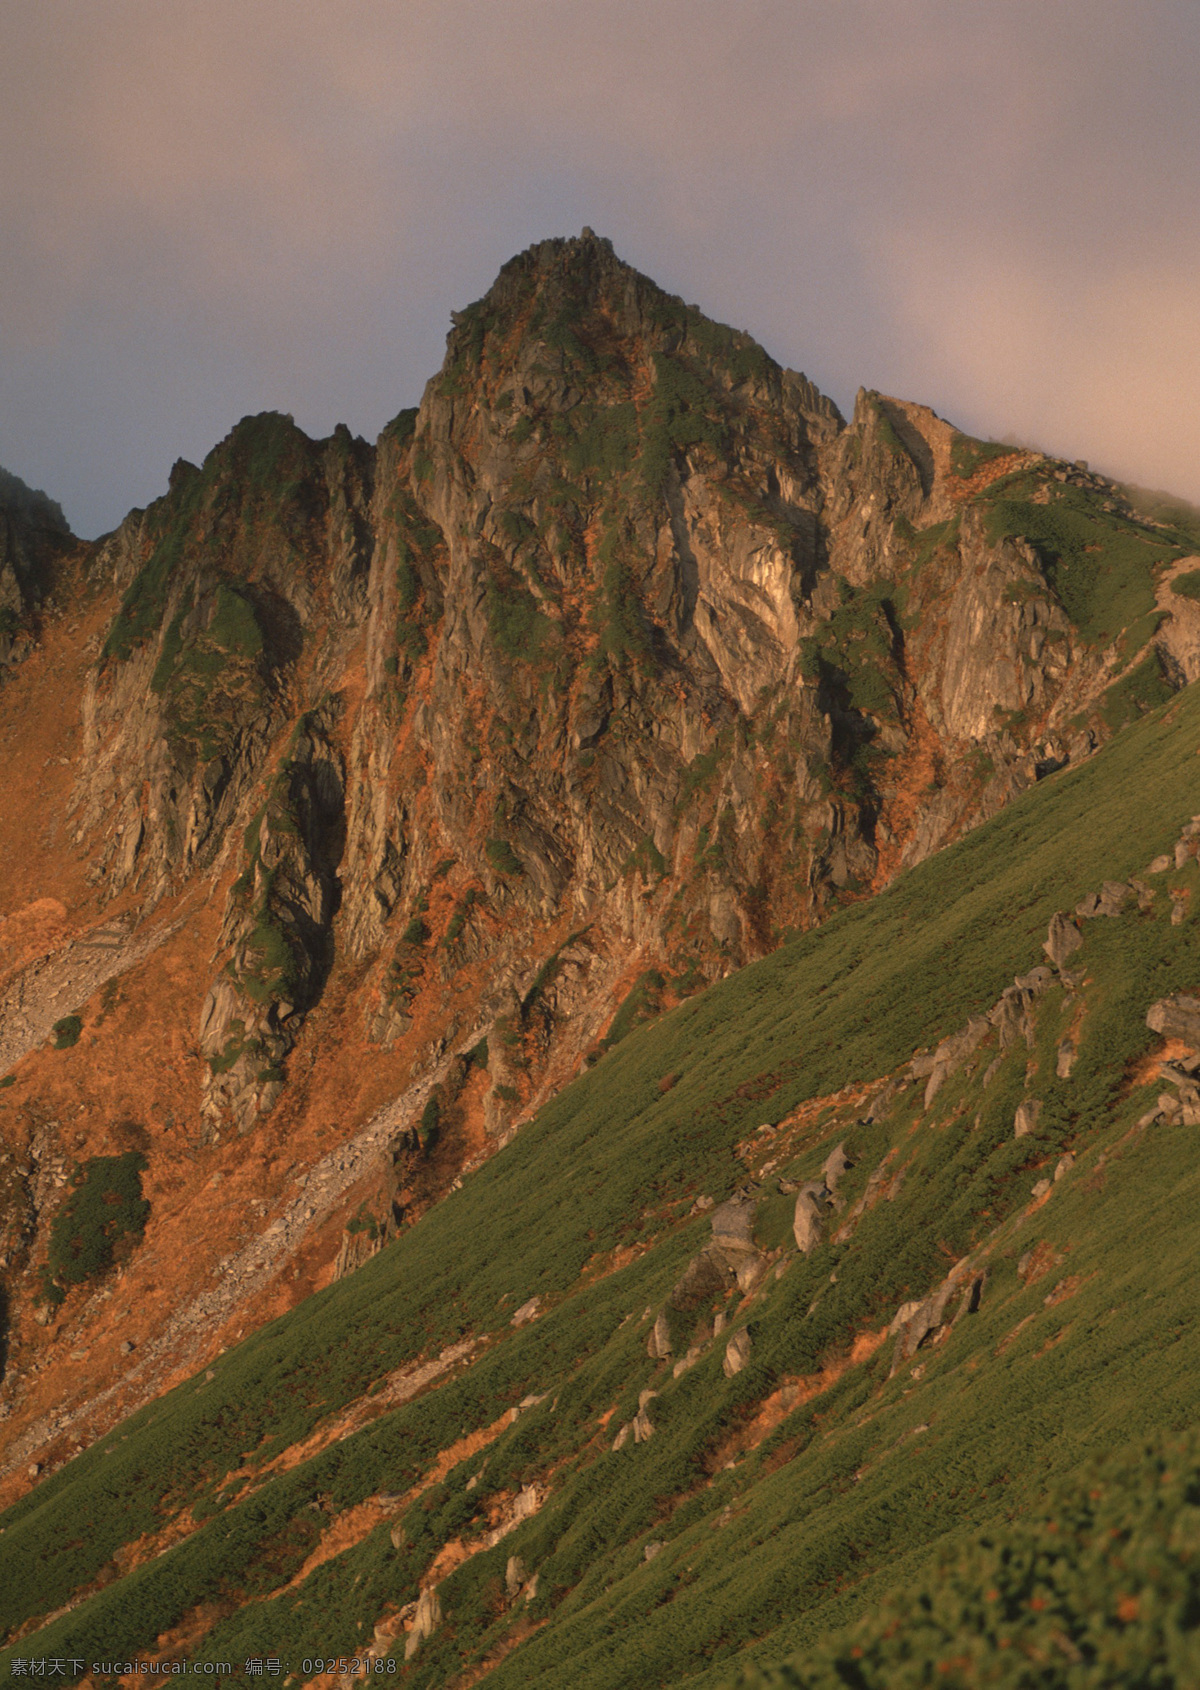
x: 623, y: 591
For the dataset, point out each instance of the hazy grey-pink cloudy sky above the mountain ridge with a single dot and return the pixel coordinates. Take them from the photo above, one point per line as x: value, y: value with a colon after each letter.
x: 221, y: 207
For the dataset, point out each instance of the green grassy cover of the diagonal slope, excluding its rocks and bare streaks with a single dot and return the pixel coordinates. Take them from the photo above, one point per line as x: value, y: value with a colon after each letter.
x: 843, y: 1500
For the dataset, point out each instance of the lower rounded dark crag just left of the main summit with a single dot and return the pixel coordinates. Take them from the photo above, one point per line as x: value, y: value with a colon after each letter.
x: 248, y: 567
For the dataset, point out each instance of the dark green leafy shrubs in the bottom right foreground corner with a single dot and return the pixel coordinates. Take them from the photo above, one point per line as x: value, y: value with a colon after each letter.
x: 1101, y: 1586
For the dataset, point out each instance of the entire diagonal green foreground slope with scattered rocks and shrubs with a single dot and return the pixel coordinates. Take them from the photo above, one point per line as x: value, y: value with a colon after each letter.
x: 826, y: 1280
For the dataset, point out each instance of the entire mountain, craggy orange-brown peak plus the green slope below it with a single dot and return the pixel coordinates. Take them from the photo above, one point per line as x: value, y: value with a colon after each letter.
x: 364, y: 799
